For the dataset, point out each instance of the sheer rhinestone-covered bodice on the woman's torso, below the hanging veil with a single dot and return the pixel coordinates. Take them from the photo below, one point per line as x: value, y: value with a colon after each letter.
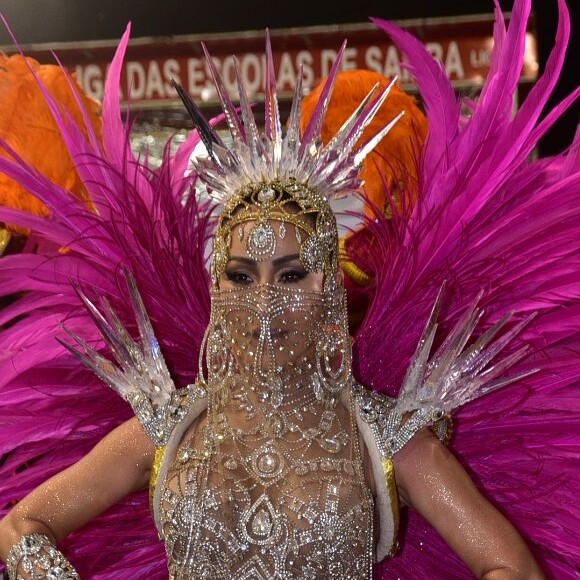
x: 255, y: 506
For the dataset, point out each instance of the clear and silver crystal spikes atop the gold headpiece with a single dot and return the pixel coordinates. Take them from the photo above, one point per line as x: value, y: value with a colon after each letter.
x: 270, y: 156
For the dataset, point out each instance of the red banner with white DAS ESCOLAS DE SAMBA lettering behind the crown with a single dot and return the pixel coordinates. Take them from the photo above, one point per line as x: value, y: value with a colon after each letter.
x: 462, y: 46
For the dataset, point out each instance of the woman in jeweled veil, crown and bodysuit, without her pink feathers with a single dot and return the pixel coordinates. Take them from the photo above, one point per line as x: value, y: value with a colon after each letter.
x: 270, y: 480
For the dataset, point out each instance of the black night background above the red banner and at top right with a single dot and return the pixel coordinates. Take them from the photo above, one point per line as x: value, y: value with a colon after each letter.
x: 41, y: 21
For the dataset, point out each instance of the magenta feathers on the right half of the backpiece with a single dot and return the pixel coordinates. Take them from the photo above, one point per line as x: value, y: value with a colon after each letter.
x: 490, y: 217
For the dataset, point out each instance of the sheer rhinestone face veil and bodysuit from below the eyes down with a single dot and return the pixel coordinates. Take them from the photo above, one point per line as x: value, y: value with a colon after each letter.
x: 269, y: 483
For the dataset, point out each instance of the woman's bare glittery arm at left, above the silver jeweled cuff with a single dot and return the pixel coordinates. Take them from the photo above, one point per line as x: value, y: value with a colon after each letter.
x: 116, y: 466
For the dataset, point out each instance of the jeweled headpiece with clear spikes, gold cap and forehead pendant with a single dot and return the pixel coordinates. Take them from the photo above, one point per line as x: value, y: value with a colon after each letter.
x: 270, y: 176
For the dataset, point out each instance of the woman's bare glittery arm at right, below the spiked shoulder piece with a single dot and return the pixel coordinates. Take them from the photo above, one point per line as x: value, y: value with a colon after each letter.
x: 433, y: 482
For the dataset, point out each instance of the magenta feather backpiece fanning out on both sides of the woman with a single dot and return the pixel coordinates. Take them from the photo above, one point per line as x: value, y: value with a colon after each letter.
x: 486, y: 217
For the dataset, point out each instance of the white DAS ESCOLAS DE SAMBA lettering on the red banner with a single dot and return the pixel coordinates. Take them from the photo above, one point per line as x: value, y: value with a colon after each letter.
x: 151, y: 79
